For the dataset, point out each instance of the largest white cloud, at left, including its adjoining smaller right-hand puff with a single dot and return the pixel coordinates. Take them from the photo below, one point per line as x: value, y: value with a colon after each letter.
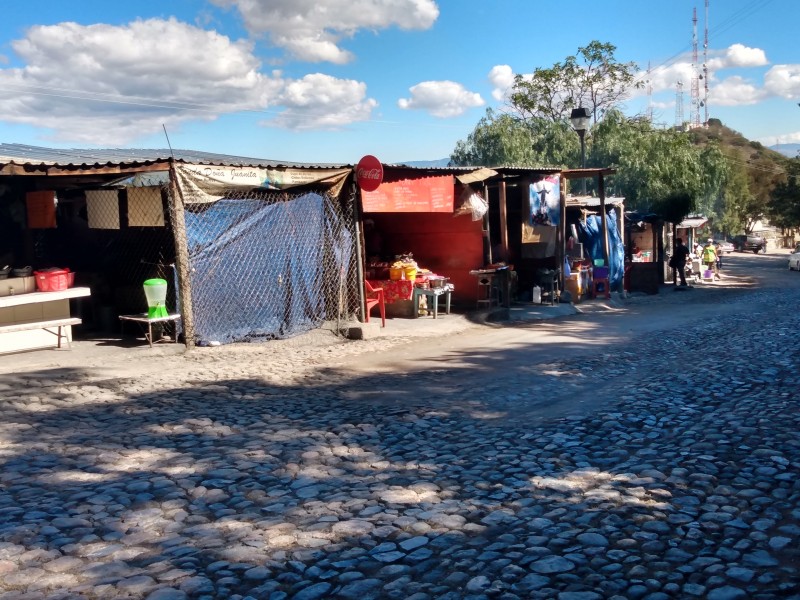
x: 109, y: 85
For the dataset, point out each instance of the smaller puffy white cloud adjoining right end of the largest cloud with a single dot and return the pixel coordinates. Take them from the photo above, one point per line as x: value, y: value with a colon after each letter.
x: 319, y: 101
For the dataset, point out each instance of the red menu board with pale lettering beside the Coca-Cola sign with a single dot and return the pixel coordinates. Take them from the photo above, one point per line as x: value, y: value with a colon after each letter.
x: 427, y: 194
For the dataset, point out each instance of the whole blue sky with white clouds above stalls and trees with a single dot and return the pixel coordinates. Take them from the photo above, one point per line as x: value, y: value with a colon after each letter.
x: 333, y: 80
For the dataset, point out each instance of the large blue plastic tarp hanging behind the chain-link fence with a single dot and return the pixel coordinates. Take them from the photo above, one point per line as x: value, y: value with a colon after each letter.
x: 259, y: 270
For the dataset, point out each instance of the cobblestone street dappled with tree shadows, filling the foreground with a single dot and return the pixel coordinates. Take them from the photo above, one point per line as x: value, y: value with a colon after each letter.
x: 672, y: 471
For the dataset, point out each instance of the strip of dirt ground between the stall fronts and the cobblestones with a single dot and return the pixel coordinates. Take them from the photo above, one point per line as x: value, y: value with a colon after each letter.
x: 411, y: 344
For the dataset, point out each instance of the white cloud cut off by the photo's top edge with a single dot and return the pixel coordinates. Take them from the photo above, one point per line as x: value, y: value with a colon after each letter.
x: 311, y: 30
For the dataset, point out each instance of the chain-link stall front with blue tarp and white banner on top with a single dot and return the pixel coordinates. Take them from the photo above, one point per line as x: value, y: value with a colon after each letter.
x: 270, y: 251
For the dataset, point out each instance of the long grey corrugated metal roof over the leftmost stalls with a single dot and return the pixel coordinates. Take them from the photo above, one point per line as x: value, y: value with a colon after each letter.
x: 74, y: 157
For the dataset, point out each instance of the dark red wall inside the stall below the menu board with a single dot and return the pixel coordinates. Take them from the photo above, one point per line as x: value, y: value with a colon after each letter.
x: 447, y: 245
